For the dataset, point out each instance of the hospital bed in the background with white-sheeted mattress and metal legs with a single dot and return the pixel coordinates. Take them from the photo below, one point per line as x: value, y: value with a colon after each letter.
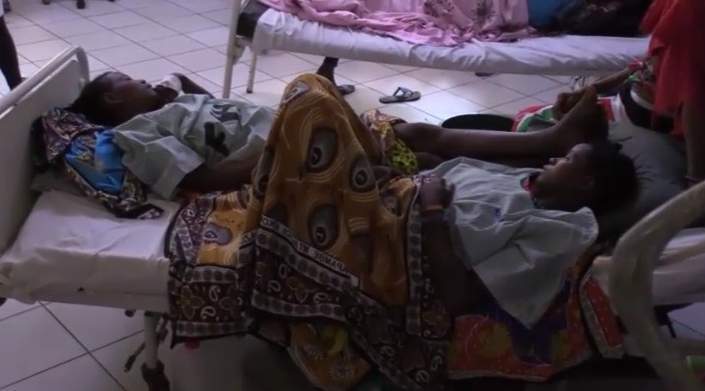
x: 260, y: 28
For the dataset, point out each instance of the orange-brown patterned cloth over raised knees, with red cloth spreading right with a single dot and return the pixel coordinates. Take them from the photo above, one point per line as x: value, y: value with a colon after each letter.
x: 322, y: 259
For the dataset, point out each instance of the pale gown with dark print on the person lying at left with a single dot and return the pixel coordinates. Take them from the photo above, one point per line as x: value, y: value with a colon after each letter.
x: 163, y: 146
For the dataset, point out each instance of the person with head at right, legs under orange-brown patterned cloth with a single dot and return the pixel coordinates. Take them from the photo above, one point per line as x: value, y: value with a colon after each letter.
x: 340, y: 259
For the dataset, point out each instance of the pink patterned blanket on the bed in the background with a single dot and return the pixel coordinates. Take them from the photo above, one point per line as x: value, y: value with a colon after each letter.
x: 434, y: 22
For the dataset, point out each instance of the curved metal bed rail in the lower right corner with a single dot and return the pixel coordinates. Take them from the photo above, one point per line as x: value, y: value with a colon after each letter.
x: 631, y: 278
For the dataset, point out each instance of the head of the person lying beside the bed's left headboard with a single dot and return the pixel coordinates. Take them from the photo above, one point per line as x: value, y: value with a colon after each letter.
x: 113, y: 98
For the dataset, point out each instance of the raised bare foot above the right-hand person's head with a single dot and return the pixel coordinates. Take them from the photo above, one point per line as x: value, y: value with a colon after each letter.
x: 584, y: 123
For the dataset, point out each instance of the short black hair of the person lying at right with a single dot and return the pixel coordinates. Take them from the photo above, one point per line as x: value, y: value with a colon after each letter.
x: 616, y: 181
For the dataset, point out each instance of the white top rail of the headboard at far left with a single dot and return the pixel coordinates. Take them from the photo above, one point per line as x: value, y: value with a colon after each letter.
x: 43, y: 73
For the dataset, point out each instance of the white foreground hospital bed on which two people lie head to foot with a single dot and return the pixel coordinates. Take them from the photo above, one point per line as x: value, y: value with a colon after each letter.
x: 61, y: 247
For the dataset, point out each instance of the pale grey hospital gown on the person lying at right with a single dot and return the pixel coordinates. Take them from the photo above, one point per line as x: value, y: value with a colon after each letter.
x: 518, y: 250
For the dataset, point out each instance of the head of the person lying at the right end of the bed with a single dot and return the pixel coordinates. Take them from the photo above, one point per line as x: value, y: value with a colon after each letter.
x: 596, y: 175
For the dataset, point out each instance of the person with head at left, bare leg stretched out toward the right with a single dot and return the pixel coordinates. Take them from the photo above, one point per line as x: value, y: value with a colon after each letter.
x: 196, y: 142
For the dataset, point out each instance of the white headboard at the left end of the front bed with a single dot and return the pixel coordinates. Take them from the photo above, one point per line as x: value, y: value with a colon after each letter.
x: 57, y: 83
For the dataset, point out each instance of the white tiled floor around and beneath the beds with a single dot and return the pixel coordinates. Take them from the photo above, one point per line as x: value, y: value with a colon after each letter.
x: 67, y: 347
